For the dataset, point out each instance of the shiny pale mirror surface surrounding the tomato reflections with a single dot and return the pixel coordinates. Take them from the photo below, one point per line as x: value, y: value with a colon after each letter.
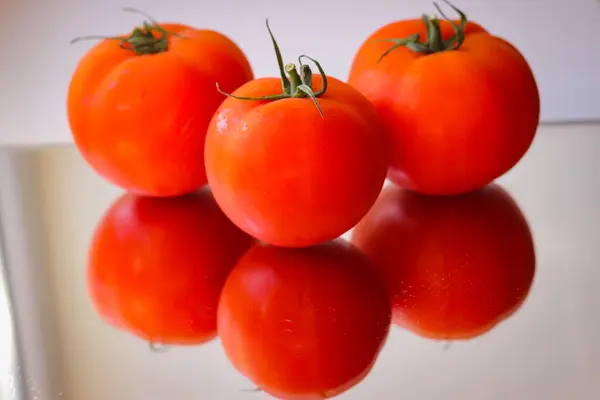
x: 548, y: 350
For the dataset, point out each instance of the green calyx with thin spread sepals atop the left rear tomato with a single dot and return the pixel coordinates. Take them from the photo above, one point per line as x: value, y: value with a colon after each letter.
x: 141, y: 41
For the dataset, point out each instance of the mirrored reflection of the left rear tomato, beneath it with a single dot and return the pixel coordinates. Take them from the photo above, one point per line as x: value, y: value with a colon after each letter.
x: 156, y: 266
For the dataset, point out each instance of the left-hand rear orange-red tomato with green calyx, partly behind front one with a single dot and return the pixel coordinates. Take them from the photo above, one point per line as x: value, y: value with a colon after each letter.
x: 139, y: 104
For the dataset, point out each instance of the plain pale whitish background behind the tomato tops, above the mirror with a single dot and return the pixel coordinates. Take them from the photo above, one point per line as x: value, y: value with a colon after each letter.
x: 559, y: 38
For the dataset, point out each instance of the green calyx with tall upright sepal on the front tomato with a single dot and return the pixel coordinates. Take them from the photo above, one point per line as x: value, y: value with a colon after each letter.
x: 294, y: 84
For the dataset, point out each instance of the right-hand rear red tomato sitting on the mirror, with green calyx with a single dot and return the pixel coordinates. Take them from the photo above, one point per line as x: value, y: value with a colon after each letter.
x: 459, y: 113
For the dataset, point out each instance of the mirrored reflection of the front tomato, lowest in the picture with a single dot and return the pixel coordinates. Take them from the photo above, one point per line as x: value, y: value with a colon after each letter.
x: 304, y: 323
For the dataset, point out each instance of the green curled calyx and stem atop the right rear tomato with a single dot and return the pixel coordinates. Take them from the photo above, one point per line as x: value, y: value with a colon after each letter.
x: 434, y: 43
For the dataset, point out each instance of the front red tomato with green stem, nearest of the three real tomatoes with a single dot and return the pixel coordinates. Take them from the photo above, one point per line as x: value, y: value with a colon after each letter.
x: 291, y: 171
